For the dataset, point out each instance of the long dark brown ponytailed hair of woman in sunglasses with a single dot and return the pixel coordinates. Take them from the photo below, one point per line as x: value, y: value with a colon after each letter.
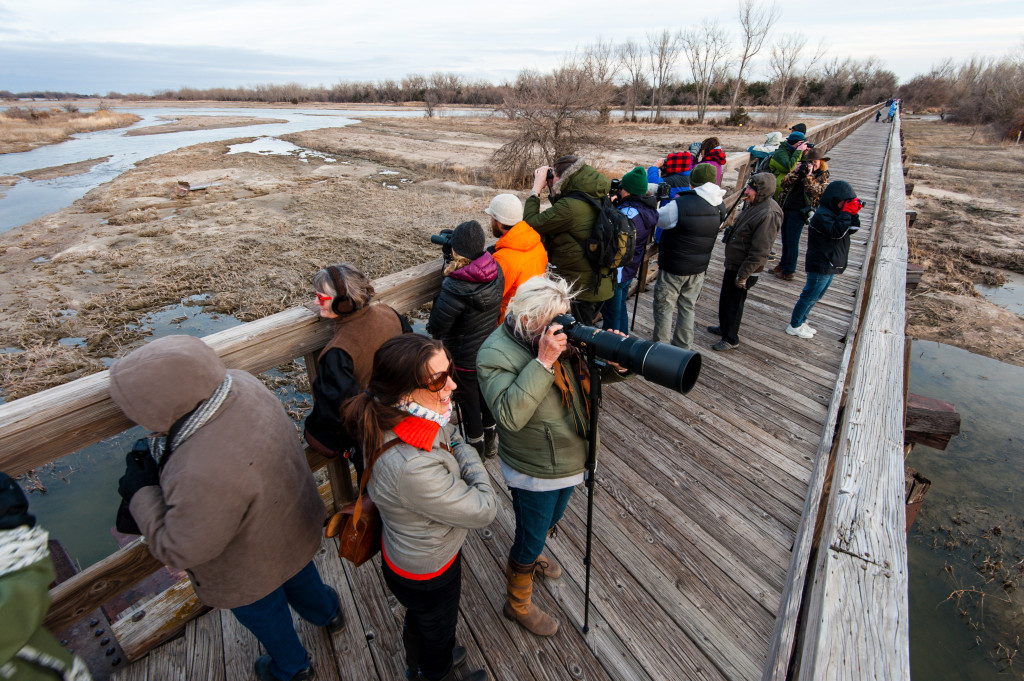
x: 401, y: 366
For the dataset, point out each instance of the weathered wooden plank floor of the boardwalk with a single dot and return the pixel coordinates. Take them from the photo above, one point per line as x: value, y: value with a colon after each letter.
x: 698, y: 506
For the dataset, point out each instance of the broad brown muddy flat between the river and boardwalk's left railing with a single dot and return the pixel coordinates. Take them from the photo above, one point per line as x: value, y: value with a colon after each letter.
x: 372, y: 195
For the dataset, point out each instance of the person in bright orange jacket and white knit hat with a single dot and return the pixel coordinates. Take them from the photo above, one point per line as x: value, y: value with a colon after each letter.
x: 519, y: 251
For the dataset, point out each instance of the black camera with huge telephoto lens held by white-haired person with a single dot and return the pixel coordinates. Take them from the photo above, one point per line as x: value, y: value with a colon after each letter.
x: 665, y: 365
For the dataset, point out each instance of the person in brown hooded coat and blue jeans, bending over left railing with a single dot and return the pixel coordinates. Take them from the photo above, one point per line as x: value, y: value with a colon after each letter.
x: 228, y: 495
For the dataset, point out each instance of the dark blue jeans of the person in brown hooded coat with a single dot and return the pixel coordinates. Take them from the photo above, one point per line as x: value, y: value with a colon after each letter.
x: 271, y: 622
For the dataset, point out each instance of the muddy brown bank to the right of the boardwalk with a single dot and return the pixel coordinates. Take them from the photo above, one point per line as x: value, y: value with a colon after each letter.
x: 969, y: 227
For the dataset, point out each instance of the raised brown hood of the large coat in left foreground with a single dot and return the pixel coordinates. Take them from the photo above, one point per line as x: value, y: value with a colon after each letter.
x: 159, y: 384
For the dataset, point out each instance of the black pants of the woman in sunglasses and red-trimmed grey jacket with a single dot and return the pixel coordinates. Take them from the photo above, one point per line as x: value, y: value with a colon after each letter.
x: 432, y: 616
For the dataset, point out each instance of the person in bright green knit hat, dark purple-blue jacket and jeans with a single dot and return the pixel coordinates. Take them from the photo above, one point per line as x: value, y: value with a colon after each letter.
x: 633, y: 202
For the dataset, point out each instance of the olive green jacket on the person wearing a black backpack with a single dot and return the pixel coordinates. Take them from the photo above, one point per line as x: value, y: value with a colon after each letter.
x: 570, y: 223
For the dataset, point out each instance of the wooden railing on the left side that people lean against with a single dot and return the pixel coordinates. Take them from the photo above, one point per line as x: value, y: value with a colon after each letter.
x: 44, y: 428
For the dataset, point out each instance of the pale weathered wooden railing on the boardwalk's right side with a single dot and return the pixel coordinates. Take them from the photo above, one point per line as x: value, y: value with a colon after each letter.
x: 852, y: 620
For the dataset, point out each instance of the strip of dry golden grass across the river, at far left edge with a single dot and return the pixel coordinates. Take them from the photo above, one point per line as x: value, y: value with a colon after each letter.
x: 21, y: 133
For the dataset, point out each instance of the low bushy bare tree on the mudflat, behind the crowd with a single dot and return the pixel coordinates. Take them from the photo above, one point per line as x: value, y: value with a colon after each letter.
x: 553, y: 115
